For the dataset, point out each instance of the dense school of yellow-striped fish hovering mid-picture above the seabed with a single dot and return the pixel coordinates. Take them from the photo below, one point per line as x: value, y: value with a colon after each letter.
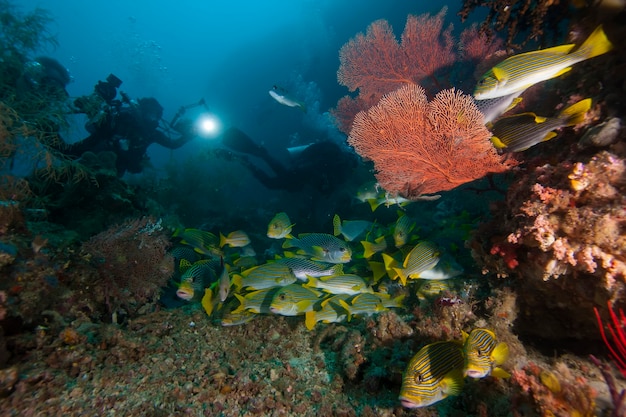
x: 324, y: 277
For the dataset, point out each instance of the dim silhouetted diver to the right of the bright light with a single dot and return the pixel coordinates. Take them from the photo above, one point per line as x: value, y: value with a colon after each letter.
x: 322, y: 165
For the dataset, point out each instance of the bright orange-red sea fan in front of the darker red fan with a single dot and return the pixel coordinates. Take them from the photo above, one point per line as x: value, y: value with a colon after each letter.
x: 420, y: 147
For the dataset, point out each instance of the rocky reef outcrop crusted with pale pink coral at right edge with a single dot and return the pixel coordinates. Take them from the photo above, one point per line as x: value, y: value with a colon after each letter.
x: 562, y: 232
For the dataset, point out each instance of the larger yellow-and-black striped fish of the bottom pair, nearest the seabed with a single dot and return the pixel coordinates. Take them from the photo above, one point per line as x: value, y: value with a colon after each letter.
x: 434, y: 373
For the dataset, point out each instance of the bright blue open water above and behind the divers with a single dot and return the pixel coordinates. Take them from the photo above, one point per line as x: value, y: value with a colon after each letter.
x: 230, y: 53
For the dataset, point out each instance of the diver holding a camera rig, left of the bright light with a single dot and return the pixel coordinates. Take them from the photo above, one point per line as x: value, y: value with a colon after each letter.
x: 125, y: 127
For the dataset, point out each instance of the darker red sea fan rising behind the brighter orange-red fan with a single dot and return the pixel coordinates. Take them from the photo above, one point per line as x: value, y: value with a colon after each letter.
x: 428, y: 55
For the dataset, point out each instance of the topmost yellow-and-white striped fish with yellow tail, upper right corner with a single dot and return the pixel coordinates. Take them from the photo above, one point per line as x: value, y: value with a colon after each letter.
x: 520, y: 71
